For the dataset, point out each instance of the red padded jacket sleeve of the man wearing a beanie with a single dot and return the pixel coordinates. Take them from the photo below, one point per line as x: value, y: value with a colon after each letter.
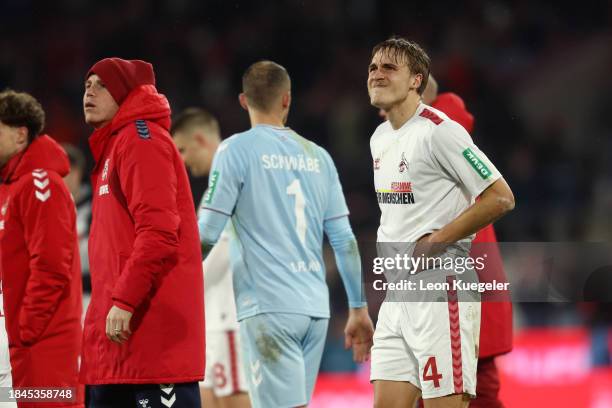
x: 149, y: 183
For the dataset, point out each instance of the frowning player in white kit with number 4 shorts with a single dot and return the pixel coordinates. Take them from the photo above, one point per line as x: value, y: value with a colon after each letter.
x: 427, y: 175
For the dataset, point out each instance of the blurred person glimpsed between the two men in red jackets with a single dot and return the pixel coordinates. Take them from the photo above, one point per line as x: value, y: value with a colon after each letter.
x: 81, y: 193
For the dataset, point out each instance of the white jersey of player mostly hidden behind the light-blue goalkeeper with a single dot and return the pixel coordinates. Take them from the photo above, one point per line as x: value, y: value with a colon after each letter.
x: 219, y: 303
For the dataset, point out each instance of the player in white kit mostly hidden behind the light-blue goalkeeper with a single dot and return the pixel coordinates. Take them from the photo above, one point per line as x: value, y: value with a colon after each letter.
x: 196, y: 134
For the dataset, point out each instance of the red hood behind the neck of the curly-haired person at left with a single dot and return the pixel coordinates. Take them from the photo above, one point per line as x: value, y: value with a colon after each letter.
x: 42, y: 153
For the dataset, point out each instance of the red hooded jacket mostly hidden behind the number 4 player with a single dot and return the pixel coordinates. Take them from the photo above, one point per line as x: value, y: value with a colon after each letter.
x: 496, y: 315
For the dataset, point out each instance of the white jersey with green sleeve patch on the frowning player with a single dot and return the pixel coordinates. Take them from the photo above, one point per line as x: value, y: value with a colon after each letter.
x: 426, y: 173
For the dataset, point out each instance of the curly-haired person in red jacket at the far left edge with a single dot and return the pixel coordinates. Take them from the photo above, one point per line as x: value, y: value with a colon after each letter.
x: 40, y: 267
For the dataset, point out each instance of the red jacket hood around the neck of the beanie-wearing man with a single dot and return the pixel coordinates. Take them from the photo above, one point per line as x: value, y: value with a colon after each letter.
x: 143, y: 102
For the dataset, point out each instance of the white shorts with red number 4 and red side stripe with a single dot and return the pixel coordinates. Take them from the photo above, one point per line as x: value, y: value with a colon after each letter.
x: 431, y: 344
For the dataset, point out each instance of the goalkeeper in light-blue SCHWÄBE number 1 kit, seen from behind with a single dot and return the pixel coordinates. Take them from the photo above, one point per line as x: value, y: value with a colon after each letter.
x: 282, y: 193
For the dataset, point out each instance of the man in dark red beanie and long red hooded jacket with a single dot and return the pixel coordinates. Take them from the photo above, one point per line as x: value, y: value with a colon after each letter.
x: 144, y: 330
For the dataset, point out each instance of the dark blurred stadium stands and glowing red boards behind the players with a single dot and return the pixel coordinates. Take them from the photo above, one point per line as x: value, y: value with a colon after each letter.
x: 536, y: 77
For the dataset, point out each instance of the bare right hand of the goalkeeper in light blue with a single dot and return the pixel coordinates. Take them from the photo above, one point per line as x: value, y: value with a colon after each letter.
x: 358, y: 334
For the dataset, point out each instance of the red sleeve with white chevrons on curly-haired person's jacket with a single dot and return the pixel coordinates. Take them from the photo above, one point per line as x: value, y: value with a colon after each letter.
x: 48, y: 215
